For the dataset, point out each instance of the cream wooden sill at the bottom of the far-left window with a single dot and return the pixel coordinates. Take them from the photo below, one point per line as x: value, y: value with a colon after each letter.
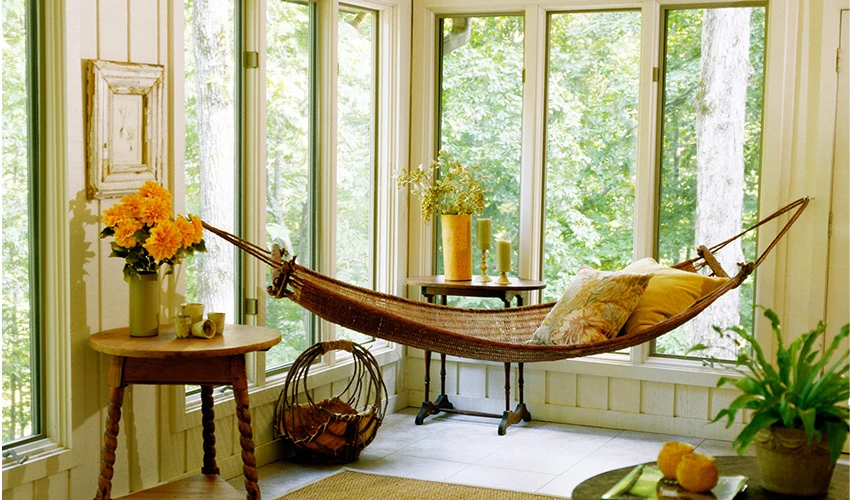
x: 44, y: 458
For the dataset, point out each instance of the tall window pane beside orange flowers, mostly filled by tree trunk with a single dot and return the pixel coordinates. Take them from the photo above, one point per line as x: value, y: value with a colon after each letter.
x: 210, y: 127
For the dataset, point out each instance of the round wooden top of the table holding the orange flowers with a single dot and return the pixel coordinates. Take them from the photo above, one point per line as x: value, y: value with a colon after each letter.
x: 236, y: 339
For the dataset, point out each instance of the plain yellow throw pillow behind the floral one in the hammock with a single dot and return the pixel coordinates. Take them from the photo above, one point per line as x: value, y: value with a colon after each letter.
x: 670, y: 292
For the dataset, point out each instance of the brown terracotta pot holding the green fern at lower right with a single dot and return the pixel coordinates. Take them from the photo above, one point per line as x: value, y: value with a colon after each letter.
x: 789, y: 466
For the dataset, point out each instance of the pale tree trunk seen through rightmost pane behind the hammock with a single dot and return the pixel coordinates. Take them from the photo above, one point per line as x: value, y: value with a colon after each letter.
x: 720, y: 117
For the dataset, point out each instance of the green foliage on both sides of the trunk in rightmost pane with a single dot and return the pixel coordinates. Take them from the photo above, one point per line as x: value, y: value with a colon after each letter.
x: 677, y: 204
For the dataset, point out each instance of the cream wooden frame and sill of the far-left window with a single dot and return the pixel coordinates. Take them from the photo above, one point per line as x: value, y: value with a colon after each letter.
x: 53, y: 232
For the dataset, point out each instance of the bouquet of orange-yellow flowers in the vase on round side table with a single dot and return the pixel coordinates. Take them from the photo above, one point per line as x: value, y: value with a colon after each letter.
x: 146, y: 235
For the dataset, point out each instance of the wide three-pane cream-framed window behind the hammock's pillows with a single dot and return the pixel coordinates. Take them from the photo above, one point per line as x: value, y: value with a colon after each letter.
x: 598, y: 155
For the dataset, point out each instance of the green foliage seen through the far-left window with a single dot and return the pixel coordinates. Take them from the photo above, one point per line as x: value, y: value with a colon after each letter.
x: 18, y: 341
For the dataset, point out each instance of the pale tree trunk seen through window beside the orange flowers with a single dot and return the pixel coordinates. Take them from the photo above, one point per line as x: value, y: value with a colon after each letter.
x: 213, y: 44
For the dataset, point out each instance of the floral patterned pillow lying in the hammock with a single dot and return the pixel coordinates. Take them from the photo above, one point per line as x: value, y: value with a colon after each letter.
x: 594, y: 307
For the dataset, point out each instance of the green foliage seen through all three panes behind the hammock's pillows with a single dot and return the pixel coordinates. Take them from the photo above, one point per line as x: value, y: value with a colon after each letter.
x: 591, y: 133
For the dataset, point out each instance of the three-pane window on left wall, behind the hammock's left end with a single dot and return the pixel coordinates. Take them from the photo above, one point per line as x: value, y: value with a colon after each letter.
x: 261, y: 163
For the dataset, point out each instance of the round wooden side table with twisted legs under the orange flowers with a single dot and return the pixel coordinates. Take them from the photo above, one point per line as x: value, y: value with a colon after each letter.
x: 165, y: 359
